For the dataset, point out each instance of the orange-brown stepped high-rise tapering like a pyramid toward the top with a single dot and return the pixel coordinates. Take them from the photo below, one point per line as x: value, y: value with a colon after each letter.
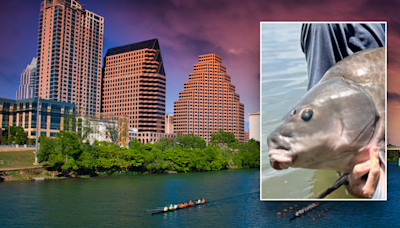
x: 209, y: 102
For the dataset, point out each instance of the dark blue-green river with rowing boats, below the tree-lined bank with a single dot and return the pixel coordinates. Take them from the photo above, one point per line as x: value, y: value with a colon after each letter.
x: 120, y: 201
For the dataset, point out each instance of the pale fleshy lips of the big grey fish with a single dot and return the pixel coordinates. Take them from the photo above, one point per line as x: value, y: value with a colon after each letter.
x: 281, y: 158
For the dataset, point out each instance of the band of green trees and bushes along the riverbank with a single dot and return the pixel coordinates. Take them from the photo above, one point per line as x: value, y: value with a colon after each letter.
x: 67, y: 156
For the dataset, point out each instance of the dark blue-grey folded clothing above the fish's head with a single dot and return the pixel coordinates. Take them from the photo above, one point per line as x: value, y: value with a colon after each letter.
x: 326, y: 44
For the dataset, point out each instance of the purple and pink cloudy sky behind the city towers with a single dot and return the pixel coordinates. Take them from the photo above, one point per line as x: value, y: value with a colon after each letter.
x: 186, y: 29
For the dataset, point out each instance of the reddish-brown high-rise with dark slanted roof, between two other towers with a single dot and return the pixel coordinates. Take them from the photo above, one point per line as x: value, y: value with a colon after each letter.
x: 134, y: 85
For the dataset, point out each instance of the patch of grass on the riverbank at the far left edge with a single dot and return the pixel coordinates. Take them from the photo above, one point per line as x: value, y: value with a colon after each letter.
x: 15, y: 159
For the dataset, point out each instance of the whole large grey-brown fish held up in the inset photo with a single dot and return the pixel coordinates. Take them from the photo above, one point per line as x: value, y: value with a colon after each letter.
x: 335, y: 122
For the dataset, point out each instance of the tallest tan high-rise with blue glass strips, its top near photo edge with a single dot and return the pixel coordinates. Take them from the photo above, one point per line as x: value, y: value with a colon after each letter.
x: 69, y: 56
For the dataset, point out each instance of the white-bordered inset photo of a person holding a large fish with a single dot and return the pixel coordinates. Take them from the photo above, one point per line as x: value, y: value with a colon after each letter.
x: 323, y: 111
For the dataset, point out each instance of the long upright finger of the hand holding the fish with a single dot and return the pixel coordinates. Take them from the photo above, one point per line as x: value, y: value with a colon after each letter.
x: 373, y: 176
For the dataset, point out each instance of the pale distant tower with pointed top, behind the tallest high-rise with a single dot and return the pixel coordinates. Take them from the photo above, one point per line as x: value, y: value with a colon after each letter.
x: 28, y: 80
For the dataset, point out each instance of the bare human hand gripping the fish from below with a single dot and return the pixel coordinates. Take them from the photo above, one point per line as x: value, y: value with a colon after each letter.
x: 360, y: 184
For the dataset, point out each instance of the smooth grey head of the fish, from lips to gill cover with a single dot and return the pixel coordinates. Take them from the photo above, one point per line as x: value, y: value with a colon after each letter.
x: 326, y: 129
